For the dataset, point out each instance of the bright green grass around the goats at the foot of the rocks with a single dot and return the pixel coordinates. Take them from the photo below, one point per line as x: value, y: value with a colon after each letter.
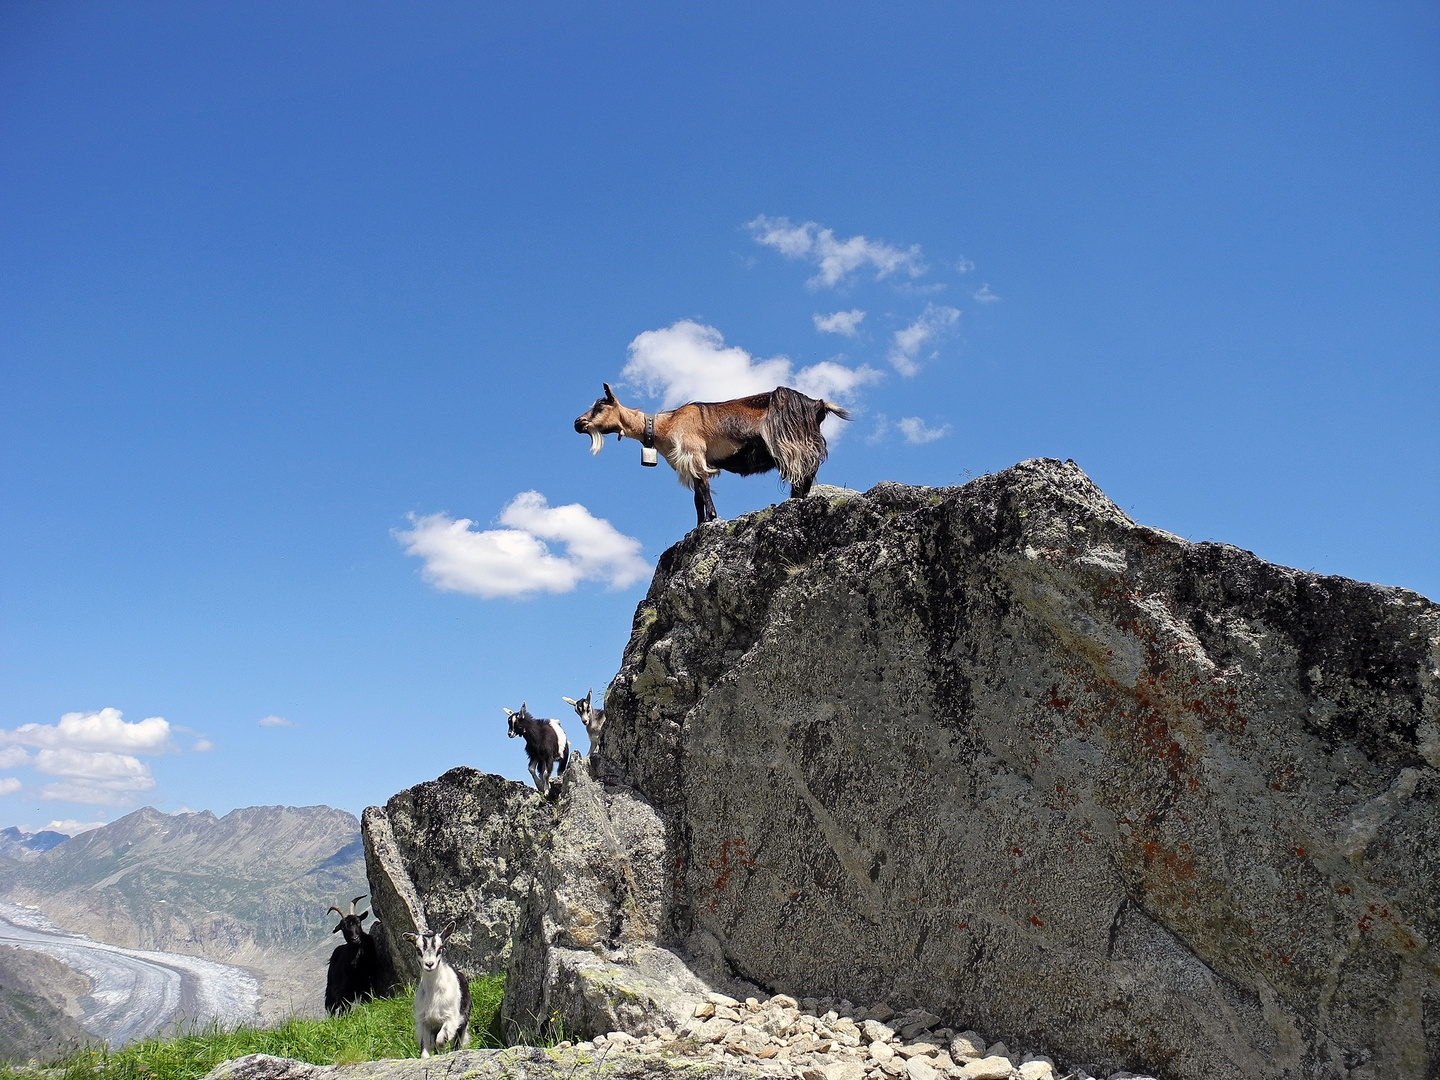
x: 378, y: 1029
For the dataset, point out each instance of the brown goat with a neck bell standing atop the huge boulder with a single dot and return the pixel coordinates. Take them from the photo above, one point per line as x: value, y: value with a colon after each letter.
x: 767, y: 431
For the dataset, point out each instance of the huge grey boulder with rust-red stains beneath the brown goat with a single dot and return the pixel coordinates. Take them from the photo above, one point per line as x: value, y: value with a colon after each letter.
x: 1003, y: 754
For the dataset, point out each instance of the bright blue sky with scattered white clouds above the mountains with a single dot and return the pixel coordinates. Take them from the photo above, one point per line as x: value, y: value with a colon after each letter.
x: 290, y: 289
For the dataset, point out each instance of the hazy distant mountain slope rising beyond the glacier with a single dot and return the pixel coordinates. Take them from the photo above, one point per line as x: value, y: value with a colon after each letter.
x: 250, y: 889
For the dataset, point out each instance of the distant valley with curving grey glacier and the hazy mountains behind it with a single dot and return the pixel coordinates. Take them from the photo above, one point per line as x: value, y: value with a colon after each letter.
x: 179, y: 919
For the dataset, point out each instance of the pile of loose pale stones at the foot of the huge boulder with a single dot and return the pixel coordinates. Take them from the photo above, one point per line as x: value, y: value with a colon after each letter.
x: 820, y: 1039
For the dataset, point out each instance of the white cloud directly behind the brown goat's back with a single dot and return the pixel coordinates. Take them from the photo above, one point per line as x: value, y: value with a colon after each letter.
x: 689, y: 362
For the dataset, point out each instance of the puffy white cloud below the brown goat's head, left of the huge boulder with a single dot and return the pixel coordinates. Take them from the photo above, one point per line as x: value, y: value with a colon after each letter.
x: 515, y: 561
